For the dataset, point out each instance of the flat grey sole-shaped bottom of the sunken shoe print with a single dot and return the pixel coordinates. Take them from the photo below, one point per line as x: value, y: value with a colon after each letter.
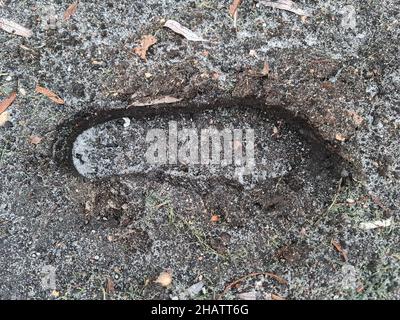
x: 244, y: 146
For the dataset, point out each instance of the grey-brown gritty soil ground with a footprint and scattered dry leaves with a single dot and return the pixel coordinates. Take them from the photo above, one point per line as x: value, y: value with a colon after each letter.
x: 332, y: 92
